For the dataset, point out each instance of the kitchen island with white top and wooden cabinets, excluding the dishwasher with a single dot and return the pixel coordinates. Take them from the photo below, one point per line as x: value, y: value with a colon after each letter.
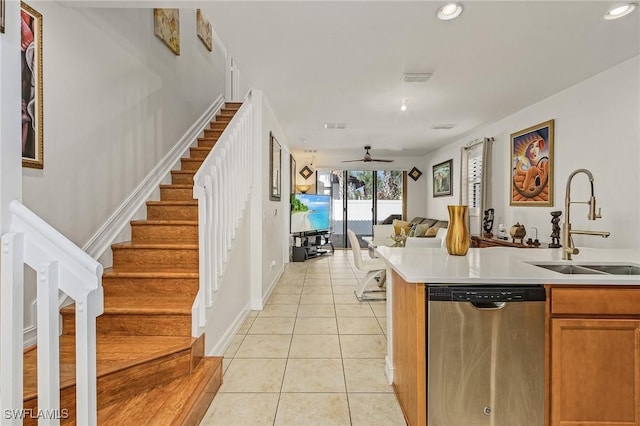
x: 591, y: 326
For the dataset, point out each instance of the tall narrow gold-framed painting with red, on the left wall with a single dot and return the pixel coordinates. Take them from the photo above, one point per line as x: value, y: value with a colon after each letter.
x: 31, y: 66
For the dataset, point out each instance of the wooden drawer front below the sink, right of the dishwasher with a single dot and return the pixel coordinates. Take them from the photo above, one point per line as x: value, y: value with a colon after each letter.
x: 590, y: 301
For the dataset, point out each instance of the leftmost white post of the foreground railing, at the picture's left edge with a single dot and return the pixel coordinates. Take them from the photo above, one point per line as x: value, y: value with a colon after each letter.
x: 11, y: 311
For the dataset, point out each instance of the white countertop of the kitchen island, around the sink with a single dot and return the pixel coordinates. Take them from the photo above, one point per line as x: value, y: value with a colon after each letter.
x: 503, y: 265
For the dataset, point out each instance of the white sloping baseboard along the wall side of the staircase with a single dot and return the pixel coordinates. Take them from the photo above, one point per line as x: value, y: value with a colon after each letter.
x: 106, y: 235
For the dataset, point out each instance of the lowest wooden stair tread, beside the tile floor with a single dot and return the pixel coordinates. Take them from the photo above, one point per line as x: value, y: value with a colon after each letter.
x: 181, y: 401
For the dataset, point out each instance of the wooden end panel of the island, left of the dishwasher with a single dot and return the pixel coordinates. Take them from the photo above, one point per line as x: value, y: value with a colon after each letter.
x: 409, y: 349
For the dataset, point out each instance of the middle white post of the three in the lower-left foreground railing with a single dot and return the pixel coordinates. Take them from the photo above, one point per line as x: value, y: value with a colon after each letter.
x: 48, y: 340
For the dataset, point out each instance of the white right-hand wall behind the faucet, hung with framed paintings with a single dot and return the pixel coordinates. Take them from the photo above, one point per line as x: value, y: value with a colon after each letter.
x: 597, y: 128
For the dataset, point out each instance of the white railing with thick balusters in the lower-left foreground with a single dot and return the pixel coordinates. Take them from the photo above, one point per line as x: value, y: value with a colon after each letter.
x: 60, y: 266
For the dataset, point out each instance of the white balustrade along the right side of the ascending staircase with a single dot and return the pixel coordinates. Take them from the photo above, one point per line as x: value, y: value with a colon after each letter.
x: 222, y: 186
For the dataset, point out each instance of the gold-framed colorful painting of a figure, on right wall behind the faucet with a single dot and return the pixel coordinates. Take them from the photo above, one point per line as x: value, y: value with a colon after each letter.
x: 532, y: 166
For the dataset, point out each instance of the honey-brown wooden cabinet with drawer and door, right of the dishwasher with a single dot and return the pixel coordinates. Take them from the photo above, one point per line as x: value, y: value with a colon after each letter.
x: 594, y: 365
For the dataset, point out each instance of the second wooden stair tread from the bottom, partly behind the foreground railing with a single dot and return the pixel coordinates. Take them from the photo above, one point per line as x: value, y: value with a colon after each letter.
x: 113, y: 353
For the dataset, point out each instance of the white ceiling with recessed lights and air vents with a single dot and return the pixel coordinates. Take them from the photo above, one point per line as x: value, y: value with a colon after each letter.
x: 342, y: 61
